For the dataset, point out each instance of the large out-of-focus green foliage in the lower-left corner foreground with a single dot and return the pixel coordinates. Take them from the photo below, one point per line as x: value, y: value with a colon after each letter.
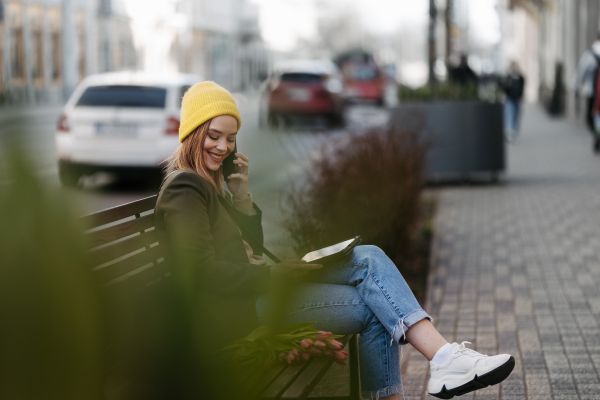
x: 52, y: 335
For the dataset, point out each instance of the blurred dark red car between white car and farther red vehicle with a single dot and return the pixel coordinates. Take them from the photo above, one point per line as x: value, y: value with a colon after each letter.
x: 306, y: 87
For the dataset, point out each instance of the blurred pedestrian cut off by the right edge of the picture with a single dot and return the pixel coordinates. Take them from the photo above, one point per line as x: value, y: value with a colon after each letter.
x: 585, y: 80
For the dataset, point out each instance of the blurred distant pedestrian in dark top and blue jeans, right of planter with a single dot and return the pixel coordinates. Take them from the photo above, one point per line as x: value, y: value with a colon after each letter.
x: 514, y: 85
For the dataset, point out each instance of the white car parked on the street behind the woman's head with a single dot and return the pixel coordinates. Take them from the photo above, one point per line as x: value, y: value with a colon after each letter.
x: 123, y: 122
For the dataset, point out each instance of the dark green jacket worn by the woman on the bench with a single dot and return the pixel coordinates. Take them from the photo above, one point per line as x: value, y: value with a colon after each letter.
x: 207, y: 256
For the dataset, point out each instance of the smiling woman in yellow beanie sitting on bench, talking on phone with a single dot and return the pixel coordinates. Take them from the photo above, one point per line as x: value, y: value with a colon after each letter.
x: 225, y: 279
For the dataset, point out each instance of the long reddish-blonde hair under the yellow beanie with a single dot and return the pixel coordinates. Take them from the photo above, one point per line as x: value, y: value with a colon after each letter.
x: 189, y: 156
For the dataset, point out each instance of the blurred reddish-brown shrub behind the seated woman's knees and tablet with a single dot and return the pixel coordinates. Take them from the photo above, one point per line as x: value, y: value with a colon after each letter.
x: 370, y: 185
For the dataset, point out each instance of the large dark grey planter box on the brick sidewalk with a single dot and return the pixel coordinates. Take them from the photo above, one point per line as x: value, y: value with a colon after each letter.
x: 465, y: 137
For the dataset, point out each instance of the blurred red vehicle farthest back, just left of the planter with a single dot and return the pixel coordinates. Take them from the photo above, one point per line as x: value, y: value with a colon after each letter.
x: 364, y: 81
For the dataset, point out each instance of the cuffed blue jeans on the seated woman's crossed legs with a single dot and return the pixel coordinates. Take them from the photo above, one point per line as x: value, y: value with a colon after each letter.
x: 363, y: 293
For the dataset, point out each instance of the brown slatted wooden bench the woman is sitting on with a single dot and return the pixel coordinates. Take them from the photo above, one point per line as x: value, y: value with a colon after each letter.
x: 128, y: 257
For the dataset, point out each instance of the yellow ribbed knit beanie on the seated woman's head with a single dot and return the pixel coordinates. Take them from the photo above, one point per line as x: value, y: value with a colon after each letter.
x: 203, y: 101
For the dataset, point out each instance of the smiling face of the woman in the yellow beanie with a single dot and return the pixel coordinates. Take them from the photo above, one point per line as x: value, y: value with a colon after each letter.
x: 219, y: 142
